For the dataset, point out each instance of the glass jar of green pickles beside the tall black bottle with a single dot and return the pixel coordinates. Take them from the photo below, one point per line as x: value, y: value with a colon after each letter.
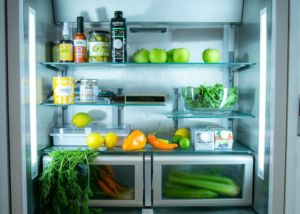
x: 99, y: 48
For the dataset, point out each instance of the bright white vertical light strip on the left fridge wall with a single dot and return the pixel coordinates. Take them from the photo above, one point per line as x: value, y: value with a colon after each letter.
x: 32, y: 91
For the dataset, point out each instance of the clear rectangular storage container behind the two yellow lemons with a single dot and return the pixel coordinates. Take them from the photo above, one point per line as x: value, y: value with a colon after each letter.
x: 72, y: 136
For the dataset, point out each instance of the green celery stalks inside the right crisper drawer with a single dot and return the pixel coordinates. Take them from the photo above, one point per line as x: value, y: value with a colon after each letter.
x: 181, y: 184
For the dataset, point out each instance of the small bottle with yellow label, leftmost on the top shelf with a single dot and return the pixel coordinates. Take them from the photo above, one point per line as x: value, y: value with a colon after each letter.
x: 66, y: 45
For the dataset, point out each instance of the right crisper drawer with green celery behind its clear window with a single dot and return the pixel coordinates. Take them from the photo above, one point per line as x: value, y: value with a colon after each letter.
x: 202, y: 180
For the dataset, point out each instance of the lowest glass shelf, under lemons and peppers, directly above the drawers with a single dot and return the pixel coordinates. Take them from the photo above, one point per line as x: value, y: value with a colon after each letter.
x: 236, y: 149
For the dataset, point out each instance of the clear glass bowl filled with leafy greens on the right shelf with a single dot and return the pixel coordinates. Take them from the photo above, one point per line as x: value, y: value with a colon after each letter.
x: 209, y: 97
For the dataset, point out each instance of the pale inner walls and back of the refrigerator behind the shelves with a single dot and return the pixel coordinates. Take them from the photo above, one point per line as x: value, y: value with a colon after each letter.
x: 236, y: 40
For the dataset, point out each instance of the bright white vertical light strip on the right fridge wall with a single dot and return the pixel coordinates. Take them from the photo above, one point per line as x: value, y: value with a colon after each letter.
x: 262, y: 92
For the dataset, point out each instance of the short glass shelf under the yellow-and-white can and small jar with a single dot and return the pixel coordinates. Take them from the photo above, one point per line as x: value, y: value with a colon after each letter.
x: 105, y: 104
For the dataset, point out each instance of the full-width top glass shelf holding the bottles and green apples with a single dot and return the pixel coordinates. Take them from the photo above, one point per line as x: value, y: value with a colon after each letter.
x: 234, y: 66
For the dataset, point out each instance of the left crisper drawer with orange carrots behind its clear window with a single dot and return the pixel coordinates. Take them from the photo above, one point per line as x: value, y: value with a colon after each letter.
x: 115, y: 180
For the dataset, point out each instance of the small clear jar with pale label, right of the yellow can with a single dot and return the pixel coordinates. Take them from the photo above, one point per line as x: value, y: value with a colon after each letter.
x: 88, y: 90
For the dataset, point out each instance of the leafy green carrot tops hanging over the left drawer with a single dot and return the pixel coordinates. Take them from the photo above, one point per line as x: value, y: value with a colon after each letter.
x: 65, y: 184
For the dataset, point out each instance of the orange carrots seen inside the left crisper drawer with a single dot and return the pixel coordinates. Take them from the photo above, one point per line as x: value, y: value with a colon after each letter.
x: 106, y: 184
